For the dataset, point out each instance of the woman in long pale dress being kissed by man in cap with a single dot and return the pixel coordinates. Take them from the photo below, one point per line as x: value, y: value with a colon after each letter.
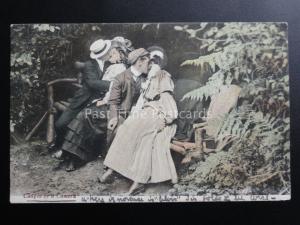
x: 141, y: 148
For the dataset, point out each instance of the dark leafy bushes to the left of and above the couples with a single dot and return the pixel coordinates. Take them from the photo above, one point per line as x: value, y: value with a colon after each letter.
x: 43, y: 52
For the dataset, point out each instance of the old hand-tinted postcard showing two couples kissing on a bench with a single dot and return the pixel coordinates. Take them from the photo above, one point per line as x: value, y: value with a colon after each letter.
x: 149, y: 112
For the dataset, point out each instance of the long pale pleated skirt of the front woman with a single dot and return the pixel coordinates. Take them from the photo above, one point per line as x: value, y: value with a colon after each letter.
x: 140, y: 153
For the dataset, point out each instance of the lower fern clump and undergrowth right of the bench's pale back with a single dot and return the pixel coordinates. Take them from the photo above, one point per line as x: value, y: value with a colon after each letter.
x: 258, y: 161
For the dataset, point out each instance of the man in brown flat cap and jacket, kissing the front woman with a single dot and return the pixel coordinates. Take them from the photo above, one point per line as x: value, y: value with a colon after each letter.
x: 126, y: 90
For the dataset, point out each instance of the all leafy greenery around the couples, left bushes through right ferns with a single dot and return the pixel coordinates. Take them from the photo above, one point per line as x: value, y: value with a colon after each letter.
x: 252, y: 55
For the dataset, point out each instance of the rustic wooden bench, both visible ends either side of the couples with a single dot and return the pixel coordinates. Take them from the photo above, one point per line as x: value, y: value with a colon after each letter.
x: 205, y: 131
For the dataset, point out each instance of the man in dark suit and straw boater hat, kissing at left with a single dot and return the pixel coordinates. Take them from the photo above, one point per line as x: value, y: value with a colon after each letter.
x: 93, y: 87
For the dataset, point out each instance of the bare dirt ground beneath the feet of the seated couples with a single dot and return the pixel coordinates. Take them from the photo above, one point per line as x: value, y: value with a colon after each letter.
x: 32, y: 170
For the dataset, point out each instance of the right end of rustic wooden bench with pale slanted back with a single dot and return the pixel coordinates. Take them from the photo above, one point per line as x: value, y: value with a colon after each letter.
x: 207, y: 130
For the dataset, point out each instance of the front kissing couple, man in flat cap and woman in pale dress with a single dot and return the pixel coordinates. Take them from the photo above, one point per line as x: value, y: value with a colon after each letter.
x: 141, y: 116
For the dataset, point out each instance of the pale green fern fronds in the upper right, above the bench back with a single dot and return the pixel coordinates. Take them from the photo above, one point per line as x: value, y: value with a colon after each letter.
x: 240, y: 51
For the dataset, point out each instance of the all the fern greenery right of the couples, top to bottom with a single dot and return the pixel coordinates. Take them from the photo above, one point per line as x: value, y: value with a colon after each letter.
x: 253, y: 56
